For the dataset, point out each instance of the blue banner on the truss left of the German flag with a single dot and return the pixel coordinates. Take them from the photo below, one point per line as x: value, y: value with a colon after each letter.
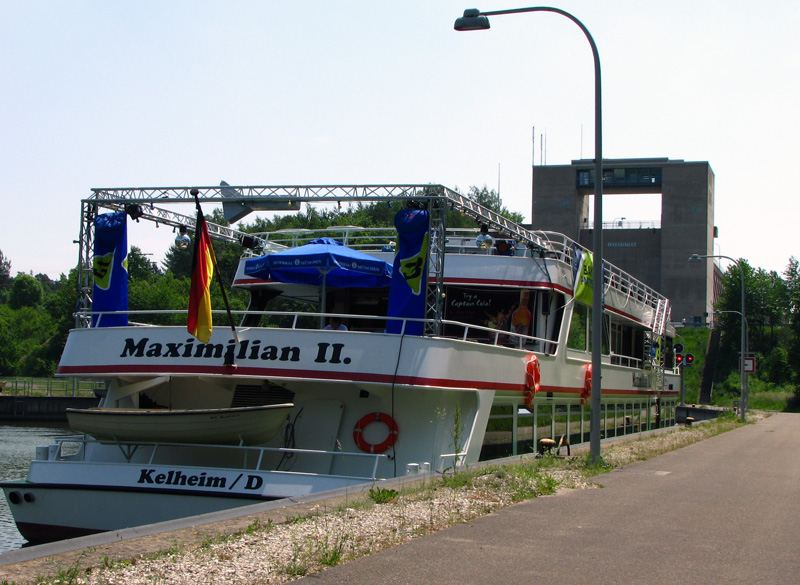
x: 110, y: 268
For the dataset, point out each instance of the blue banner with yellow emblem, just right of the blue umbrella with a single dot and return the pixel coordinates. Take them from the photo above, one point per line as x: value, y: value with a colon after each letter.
x: 410, y: 271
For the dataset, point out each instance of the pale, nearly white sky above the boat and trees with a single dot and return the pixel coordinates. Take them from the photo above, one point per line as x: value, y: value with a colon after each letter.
x: 179, y: 93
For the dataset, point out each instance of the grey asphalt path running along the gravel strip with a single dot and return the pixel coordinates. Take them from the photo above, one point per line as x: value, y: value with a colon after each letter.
x: 725, y: 510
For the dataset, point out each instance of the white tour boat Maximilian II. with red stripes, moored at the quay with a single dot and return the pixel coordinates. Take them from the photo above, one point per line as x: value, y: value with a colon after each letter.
x: 495, y: 358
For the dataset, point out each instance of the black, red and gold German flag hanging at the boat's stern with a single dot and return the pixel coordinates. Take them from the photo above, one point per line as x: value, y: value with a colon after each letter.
x: 203, y: 262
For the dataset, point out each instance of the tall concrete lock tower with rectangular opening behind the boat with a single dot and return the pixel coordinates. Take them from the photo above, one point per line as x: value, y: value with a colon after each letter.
x: 654, y: 251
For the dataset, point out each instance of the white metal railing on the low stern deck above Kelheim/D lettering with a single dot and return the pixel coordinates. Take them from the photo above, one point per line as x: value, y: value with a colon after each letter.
x: 249, y: 457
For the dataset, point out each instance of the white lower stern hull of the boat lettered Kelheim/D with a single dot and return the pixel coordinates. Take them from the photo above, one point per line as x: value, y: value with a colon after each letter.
x: 65, y: 499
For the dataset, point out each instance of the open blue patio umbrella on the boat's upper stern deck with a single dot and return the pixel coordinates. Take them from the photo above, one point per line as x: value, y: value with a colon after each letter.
x: 322, y: 262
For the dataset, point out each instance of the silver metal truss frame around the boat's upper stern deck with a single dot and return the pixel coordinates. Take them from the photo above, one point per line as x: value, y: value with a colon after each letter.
x: 146, y: 202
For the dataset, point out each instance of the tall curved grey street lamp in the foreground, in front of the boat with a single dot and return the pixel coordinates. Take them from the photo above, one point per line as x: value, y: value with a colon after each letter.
x: 474, y: 19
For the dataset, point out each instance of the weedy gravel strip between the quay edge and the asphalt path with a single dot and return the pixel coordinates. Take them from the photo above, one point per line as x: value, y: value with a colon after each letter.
x: 277, y: 552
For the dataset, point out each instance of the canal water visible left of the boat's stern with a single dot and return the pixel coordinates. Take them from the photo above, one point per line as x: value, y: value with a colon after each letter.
x: 17, y: 447
